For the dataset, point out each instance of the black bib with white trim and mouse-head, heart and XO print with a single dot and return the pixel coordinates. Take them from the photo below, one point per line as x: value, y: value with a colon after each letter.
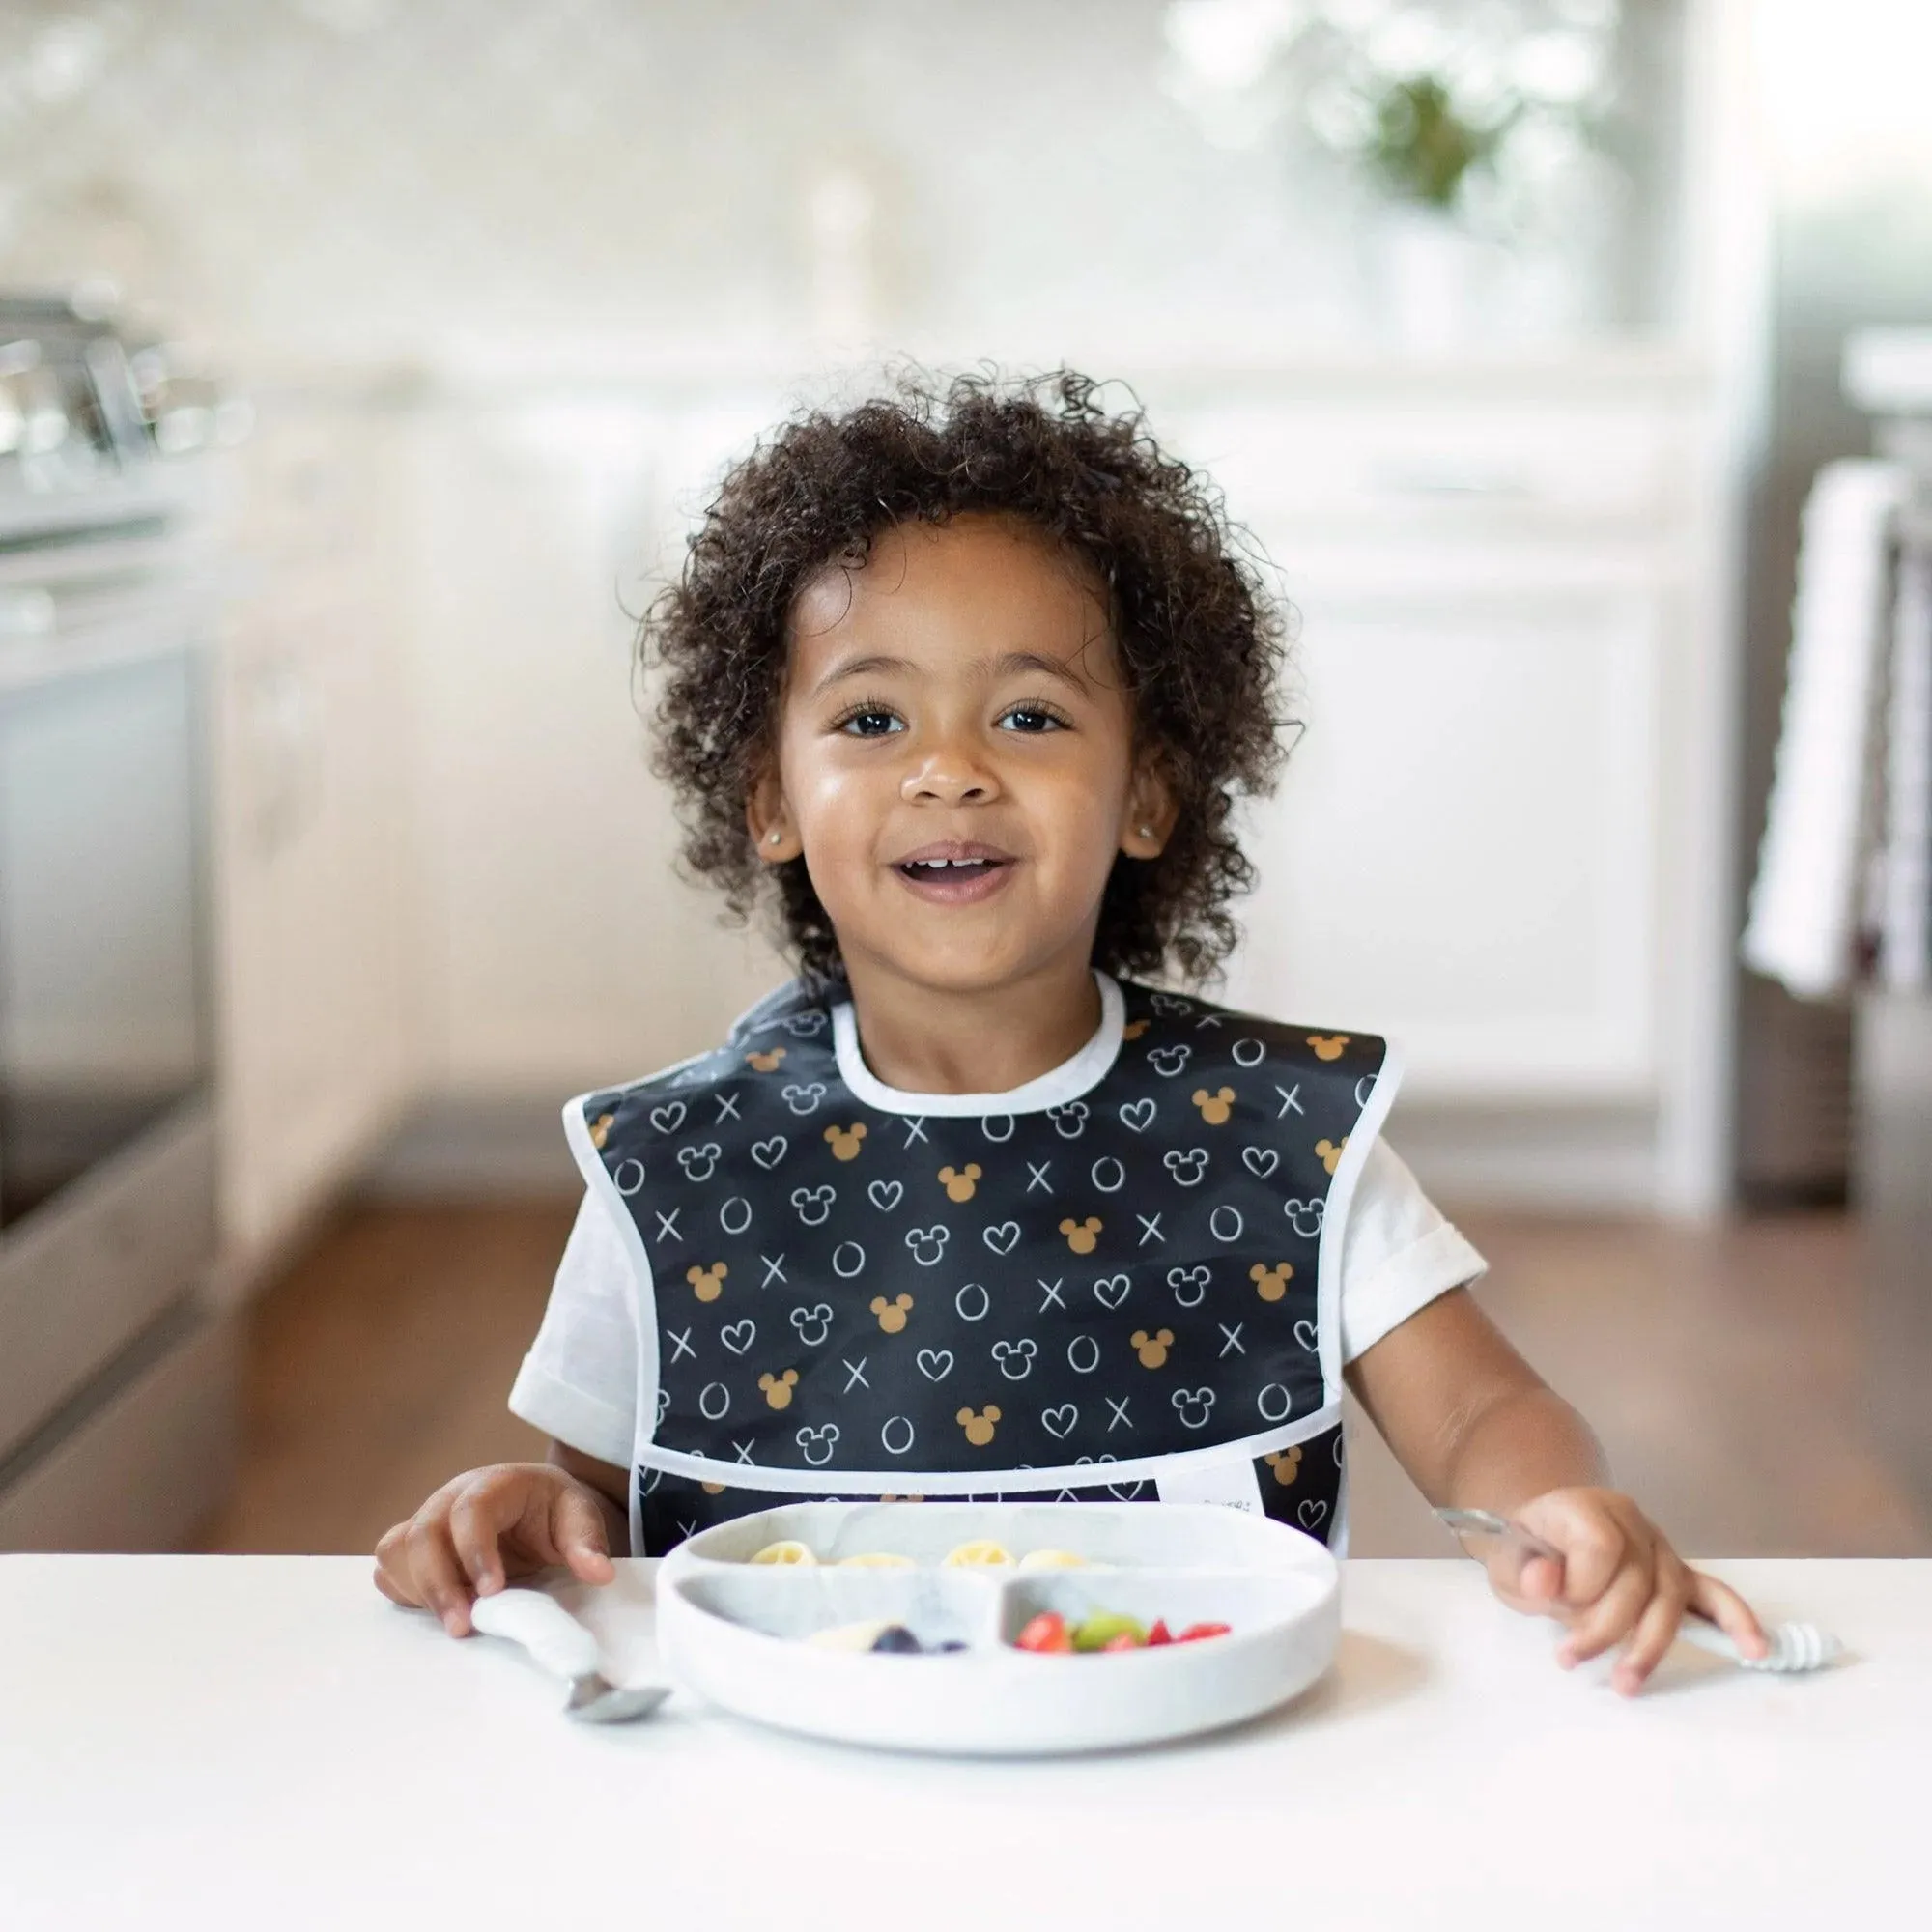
x: 843, y: 1297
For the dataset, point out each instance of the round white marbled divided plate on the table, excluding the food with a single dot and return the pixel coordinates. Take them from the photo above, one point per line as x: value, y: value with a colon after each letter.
x: 731, y: 1630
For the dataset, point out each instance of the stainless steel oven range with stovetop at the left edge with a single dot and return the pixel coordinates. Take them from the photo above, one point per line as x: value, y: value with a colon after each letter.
x: 117, y: 1390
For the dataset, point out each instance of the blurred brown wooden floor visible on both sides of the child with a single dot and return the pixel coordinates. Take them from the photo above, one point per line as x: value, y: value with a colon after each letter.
x: 1720, y: 1367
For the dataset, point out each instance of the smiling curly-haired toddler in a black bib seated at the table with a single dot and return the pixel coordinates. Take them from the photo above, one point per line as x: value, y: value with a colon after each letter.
x: 967, y: 685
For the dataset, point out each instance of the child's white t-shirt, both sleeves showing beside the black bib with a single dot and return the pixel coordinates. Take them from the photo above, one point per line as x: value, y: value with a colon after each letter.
x: 581, y: 1378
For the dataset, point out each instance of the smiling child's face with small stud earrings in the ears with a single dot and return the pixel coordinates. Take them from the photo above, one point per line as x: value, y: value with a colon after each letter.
x: 959, y: 700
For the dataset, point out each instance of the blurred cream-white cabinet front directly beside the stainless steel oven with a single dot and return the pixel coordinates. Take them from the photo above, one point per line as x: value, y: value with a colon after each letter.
x: 314, y: 836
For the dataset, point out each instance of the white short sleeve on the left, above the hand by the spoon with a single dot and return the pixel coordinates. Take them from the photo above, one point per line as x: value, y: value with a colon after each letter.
x: 581, y: 1378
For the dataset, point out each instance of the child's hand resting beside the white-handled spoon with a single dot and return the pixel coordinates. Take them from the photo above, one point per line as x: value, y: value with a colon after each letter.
x: 488, y: 1527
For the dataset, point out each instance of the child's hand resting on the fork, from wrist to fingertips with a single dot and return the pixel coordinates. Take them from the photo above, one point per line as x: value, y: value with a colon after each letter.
x: 1620, y: 1583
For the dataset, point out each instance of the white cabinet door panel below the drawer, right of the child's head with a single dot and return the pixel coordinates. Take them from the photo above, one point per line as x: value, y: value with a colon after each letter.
x: 1462, y: 849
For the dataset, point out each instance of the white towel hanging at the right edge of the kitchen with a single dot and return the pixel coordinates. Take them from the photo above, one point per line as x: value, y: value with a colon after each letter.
x: 1805, y: 903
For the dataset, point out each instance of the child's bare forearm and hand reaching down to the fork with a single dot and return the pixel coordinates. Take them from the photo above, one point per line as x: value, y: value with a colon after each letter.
x: 1479, y: 1429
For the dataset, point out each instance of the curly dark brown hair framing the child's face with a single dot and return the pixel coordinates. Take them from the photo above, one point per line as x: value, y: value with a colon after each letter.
x: 1199, y: 637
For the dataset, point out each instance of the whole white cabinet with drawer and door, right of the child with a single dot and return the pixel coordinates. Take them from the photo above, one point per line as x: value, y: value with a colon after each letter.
x: 1483, y: 841
